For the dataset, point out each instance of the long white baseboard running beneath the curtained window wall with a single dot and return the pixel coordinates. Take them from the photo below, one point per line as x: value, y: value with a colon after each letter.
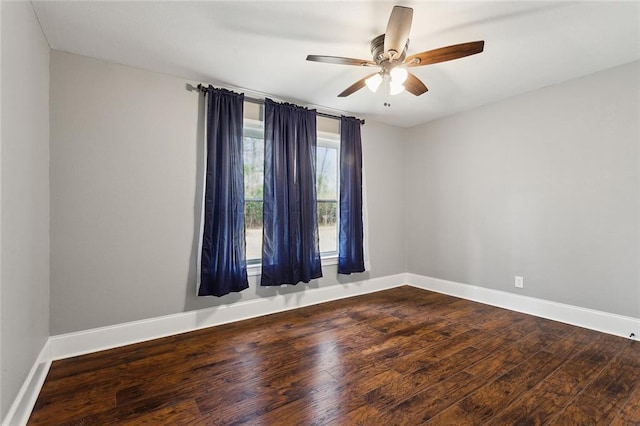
x: 97, y: 339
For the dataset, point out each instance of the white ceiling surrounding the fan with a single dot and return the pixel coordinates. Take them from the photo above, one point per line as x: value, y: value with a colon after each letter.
x: 261, y: 46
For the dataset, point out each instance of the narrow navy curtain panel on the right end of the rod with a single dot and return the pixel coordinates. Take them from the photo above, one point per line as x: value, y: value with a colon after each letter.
x: 351, y: 235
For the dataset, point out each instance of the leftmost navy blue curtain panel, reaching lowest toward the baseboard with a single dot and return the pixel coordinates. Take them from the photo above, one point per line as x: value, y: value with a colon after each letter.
x: 223, y: 262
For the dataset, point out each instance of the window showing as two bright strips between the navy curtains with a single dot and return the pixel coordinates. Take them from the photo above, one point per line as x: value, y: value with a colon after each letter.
x: 327, y: 181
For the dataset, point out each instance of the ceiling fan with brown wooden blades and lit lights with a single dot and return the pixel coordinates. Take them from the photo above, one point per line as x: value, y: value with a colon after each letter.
x: 389, y: 52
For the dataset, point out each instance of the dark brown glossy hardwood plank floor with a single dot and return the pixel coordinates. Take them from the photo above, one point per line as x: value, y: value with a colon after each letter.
x: 398, y: 357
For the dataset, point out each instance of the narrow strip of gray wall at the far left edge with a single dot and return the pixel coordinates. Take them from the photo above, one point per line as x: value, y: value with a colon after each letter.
x: 24, y: 247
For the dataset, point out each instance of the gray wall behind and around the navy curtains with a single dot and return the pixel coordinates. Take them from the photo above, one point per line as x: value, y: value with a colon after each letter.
x: 125, y: 161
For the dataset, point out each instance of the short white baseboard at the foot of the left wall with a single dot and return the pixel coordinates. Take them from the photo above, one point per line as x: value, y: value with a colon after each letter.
x: 24, y: 401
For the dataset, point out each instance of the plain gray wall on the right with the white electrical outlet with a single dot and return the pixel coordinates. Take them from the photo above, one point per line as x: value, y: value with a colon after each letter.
x: 543, y: 185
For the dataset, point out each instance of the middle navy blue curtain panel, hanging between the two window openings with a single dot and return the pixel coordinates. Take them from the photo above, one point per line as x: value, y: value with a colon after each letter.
x: 290, y: 247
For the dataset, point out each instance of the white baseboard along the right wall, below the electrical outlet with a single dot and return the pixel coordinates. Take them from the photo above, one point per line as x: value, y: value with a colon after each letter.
x: 605, y: 322
